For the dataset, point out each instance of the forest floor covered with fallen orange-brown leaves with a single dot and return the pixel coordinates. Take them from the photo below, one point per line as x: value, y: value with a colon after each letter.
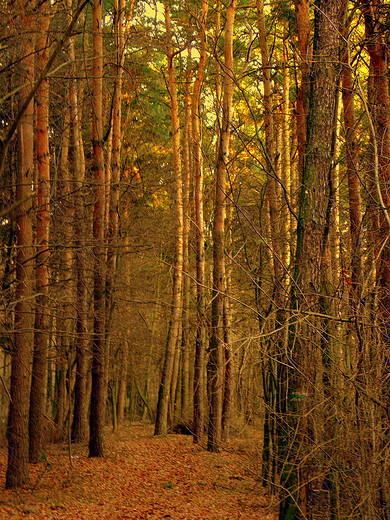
x: 143, y: 478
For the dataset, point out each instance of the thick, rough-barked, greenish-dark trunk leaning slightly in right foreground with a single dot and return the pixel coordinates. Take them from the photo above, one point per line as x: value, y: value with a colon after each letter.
x: 309, y: 347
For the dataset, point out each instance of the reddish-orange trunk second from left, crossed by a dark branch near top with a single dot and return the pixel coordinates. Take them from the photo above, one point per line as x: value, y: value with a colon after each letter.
x: 41, y: 334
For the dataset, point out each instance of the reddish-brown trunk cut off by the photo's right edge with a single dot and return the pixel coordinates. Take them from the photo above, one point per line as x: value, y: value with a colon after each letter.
x: 373, y: 367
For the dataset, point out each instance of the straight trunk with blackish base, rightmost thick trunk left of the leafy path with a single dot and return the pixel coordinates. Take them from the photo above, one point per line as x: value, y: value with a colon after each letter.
x: 99, y: 380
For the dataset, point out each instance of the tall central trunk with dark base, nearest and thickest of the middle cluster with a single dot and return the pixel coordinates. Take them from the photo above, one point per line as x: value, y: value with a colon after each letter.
x: 216, y: 363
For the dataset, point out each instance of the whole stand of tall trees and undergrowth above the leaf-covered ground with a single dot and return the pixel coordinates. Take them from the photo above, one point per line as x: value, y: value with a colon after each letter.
x: 194, y: 233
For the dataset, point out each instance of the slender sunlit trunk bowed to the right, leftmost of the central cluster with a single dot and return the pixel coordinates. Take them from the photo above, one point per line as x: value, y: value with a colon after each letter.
x: 176, y: 313
